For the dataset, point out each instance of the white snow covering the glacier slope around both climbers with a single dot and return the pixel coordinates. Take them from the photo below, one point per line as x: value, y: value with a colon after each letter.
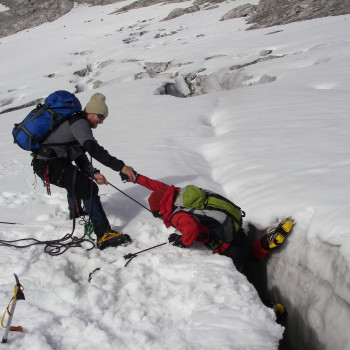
x: 276, y: 143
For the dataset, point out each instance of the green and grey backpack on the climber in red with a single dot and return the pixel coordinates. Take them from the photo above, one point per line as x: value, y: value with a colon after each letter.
x: 223, y: 217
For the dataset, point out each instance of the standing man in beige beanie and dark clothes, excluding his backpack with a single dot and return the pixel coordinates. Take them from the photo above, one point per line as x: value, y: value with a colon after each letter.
x: 68, y: 143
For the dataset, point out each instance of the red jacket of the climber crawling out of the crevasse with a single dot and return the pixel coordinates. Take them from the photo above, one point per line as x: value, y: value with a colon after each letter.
x: 191, y: 230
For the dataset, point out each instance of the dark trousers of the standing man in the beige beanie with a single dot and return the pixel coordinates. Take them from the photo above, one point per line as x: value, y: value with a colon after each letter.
x: 61, y: 173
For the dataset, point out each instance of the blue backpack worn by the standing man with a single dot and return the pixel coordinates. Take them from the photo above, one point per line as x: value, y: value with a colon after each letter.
x: 37, y: 125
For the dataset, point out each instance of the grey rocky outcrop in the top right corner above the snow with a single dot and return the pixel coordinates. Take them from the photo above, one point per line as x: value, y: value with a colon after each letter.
x: 274, y: 12
